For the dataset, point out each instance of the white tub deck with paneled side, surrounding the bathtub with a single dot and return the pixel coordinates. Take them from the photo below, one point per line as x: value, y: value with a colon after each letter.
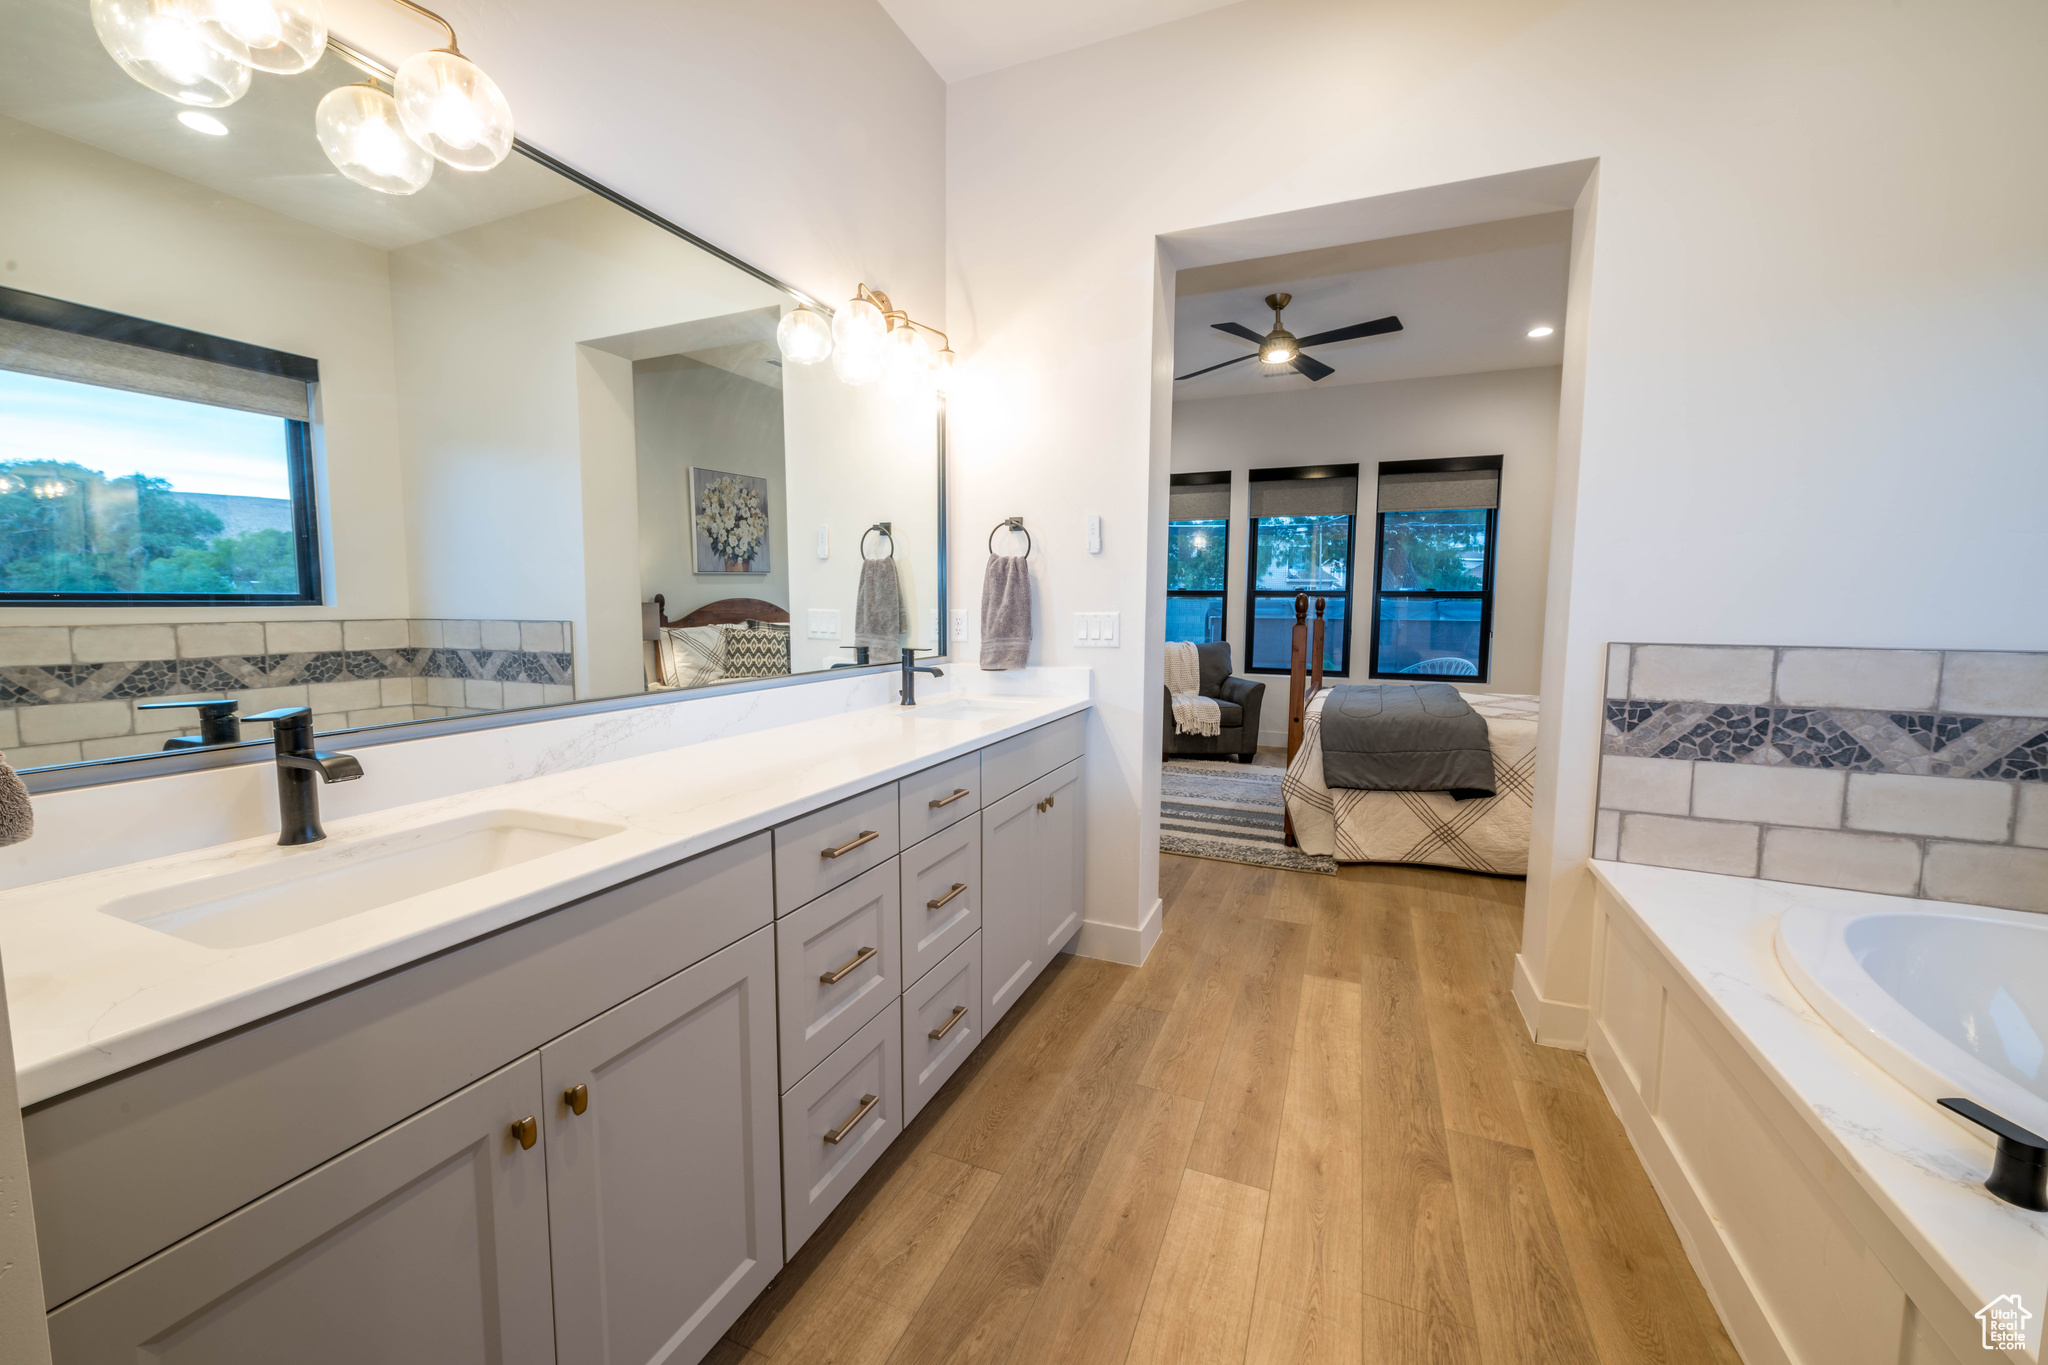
x: 1691, y: 1000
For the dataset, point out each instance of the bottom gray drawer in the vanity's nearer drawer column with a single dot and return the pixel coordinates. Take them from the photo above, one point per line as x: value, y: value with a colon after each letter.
x: 835, y: 1102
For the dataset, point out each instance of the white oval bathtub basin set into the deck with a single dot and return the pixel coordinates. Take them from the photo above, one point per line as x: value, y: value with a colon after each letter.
x: 1951, y: 1002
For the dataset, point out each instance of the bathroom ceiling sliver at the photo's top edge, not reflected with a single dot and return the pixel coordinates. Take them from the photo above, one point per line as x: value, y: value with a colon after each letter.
x: 968, y: 38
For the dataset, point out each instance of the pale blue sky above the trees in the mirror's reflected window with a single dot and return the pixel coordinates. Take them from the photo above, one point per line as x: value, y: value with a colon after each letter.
x: 202, y: 449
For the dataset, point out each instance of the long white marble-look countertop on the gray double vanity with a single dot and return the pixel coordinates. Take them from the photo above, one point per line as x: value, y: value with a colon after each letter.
x: 93, y: 994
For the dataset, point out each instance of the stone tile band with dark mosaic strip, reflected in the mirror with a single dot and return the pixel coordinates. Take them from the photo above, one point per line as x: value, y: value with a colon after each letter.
x: 71, y: 693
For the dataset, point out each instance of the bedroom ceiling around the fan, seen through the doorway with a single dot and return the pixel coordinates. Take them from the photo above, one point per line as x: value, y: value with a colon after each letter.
x: 1461, y: 310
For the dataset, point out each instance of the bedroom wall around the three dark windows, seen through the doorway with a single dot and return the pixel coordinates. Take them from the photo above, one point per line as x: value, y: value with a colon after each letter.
x: 1500, y: 412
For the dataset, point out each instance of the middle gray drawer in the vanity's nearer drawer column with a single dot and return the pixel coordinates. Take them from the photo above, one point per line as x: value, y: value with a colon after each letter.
x: 851, y: 934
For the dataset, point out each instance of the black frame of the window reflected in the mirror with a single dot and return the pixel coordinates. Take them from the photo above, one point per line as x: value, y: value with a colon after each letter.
x: 83, y: 320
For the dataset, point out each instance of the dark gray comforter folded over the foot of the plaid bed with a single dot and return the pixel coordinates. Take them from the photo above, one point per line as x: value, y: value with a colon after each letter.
x: 1406, y: 738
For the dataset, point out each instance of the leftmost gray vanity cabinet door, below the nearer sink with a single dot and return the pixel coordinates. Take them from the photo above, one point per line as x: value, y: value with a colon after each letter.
x: 425, y: 1245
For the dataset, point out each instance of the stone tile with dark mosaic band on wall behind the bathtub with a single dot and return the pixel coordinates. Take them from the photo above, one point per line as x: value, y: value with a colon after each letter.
x: 1908, y: 773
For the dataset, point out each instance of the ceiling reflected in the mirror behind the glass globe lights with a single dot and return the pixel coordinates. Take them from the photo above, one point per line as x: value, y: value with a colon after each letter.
x: 56, y: 77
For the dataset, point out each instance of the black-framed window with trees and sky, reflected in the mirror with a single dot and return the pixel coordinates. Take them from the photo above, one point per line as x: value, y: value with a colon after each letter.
x: 151, y: 466
